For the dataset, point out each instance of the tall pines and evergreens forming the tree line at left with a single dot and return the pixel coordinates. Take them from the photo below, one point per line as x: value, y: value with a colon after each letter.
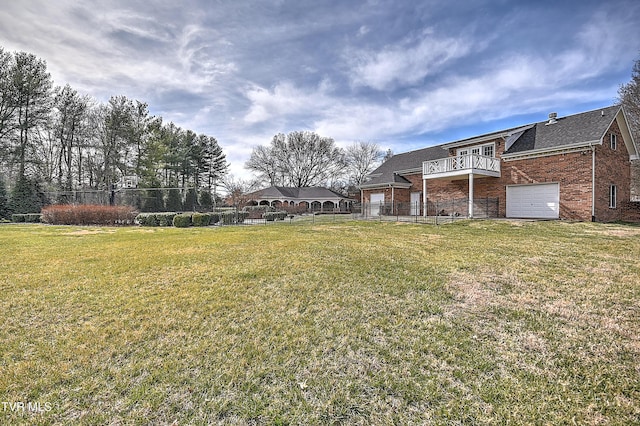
x: 55, y: 141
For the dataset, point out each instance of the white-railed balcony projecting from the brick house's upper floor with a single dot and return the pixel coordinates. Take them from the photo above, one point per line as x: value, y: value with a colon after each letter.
x: 461, y: 166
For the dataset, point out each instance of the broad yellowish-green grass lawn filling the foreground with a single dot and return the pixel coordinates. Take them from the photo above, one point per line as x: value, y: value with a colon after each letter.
x: 339, y: 322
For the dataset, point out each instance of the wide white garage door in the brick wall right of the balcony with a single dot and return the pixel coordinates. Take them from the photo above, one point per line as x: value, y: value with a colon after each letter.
x: 534, y: 201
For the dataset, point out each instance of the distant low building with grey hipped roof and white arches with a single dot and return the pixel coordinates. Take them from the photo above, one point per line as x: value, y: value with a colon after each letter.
x: 308, y: 198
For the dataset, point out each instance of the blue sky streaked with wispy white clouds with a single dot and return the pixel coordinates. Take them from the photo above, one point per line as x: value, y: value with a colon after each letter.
x: 403, y: 74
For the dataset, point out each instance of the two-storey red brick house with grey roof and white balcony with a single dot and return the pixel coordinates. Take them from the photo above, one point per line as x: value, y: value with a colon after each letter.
x: 575, y: 167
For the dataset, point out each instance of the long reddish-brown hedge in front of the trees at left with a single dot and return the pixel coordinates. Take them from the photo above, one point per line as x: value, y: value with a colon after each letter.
x: 78, y: 214
